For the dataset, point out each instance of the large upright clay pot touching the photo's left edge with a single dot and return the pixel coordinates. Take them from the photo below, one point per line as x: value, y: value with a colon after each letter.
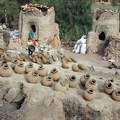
x: 5, y: 70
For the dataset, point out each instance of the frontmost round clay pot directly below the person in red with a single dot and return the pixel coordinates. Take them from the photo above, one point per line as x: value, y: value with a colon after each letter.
x: 32, y: 77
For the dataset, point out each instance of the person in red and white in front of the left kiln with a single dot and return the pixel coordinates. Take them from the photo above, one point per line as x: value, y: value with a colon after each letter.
x: 32, y: 44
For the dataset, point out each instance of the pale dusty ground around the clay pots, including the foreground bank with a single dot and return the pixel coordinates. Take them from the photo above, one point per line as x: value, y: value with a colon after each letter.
x: 37, y: 95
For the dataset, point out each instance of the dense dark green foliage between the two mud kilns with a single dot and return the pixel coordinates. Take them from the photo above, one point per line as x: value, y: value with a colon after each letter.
x: 73, y: 16
